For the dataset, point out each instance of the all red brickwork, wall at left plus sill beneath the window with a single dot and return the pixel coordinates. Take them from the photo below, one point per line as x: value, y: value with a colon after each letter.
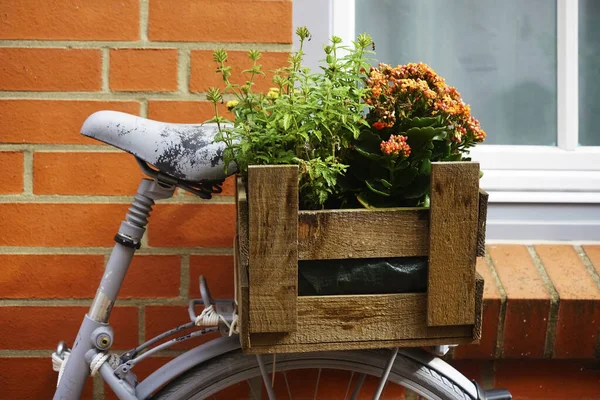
x: 62, y: 197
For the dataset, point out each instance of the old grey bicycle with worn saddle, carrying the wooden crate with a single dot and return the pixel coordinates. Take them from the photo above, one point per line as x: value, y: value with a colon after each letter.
x: 184, y: 156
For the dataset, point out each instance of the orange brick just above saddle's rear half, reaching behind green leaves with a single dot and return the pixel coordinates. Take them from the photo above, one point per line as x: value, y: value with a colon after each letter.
x: 184, y: 112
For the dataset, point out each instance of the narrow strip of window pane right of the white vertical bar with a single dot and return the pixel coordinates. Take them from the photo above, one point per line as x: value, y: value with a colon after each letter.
x: 589, y: 72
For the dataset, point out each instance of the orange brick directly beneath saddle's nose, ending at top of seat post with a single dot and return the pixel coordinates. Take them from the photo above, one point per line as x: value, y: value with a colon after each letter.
x: 87, y: 173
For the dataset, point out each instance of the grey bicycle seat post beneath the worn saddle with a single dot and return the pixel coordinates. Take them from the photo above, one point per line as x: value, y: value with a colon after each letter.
x: 128, y: 240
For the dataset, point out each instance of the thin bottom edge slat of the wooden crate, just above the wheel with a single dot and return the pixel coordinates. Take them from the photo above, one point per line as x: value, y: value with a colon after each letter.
x: 371, y: 344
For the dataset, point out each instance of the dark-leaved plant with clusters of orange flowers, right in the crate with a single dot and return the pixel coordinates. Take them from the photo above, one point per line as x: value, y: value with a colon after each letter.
x: 416, y: 119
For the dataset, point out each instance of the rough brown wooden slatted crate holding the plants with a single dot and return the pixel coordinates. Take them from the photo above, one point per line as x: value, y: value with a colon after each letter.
x: 272, y: 235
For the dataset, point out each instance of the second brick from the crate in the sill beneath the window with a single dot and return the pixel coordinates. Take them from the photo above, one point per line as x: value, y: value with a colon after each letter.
x: 527, y: 302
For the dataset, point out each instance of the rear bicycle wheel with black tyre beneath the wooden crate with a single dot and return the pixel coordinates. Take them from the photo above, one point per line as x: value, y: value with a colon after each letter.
x: 322, y: 375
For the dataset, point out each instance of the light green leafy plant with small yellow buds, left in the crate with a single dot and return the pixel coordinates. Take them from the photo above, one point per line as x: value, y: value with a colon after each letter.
x: 309, y: 119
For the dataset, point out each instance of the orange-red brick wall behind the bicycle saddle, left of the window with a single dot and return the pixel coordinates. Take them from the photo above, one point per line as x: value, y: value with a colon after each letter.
x: 62, y: 196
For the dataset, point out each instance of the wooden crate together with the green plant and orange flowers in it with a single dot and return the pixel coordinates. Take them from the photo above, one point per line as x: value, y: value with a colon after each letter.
x: 343, y: 164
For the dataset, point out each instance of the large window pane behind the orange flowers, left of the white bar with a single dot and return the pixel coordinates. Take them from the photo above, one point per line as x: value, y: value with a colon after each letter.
x: 501, y: 56
